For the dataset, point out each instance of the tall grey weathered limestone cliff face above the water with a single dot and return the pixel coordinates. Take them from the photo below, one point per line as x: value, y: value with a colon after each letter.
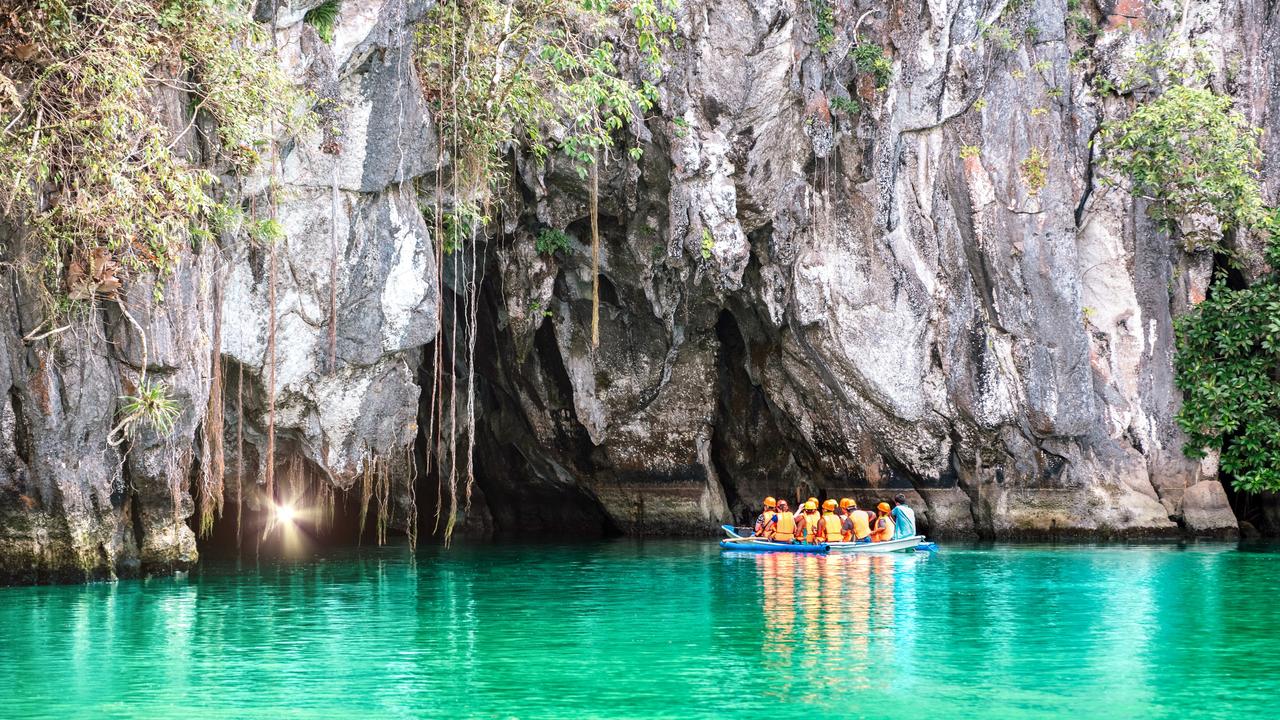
x: 932, y: 294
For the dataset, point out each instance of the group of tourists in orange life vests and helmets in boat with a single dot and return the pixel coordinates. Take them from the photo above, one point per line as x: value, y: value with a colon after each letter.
x: 839, y: 522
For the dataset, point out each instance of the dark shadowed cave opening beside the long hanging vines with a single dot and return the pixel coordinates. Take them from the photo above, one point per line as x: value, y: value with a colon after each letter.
x: 524, y: 487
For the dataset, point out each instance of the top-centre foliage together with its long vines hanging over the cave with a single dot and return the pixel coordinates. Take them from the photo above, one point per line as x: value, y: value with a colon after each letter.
x: 537, y: 76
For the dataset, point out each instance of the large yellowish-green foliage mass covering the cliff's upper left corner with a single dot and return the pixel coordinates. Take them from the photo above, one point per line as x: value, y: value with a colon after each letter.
x: 85, y: 162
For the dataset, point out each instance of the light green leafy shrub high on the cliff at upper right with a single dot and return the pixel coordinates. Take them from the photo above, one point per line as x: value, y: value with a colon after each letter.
x: 1190, y: 152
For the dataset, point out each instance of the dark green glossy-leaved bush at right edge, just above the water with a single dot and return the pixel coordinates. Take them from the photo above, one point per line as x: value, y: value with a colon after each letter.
x: 1228, y: 367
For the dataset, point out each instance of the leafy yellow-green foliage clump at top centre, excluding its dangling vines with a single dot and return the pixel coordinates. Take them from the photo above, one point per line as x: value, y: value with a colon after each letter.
x: 541, y: 75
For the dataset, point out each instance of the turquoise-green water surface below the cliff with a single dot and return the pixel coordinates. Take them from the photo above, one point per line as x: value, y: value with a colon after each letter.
x: 662, y: 630
